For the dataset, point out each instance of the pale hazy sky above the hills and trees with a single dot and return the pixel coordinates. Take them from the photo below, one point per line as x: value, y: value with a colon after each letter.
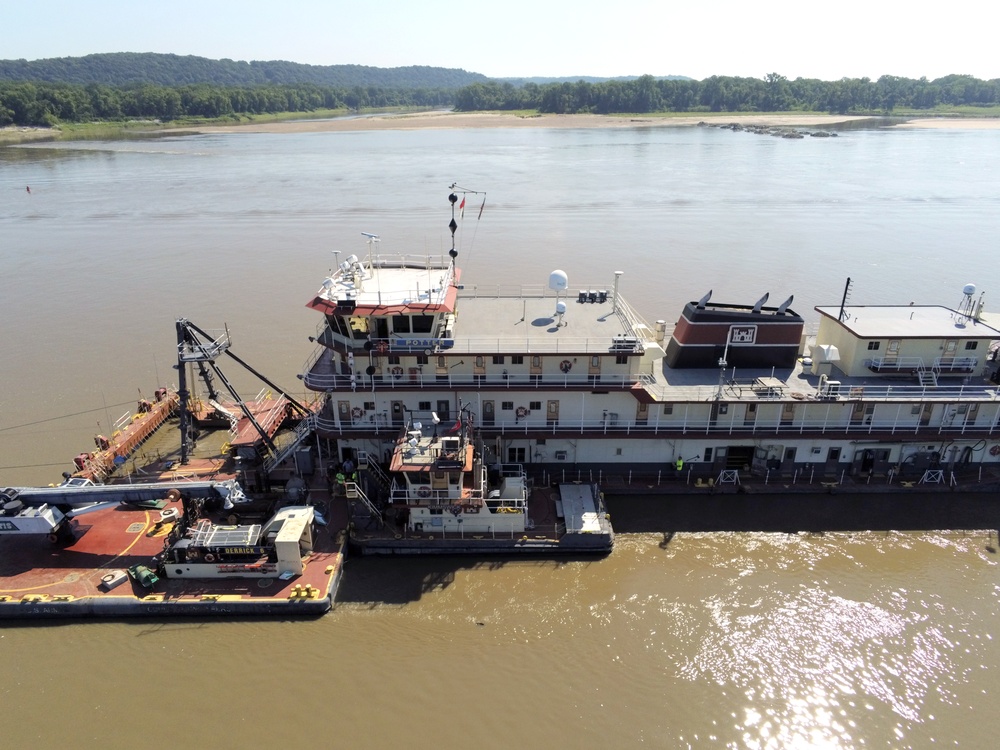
x: 506, y: 38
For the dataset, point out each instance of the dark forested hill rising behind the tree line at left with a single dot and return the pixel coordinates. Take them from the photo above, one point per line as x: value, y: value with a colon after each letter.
x: 127, y: 68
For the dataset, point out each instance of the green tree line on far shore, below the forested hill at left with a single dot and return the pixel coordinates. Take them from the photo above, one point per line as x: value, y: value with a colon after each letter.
x: 46, y: 104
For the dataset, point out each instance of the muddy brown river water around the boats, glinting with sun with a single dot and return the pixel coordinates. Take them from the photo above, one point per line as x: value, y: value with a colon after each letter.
x: 837, y: 640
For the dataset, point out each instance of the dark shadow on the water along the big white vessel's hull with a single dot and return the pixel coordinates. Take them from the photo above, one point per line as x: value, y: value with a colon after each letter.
x: 794, y: 512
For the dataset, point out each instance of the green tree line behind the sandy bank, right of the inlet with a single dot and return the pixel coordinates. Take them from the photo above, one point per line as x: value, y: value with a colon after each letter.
x: 773, y: 93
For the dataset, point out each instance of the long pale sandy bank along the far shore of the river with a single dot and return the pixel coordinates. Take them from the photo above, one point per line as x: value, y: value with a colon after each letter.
x: 435, y: 120
